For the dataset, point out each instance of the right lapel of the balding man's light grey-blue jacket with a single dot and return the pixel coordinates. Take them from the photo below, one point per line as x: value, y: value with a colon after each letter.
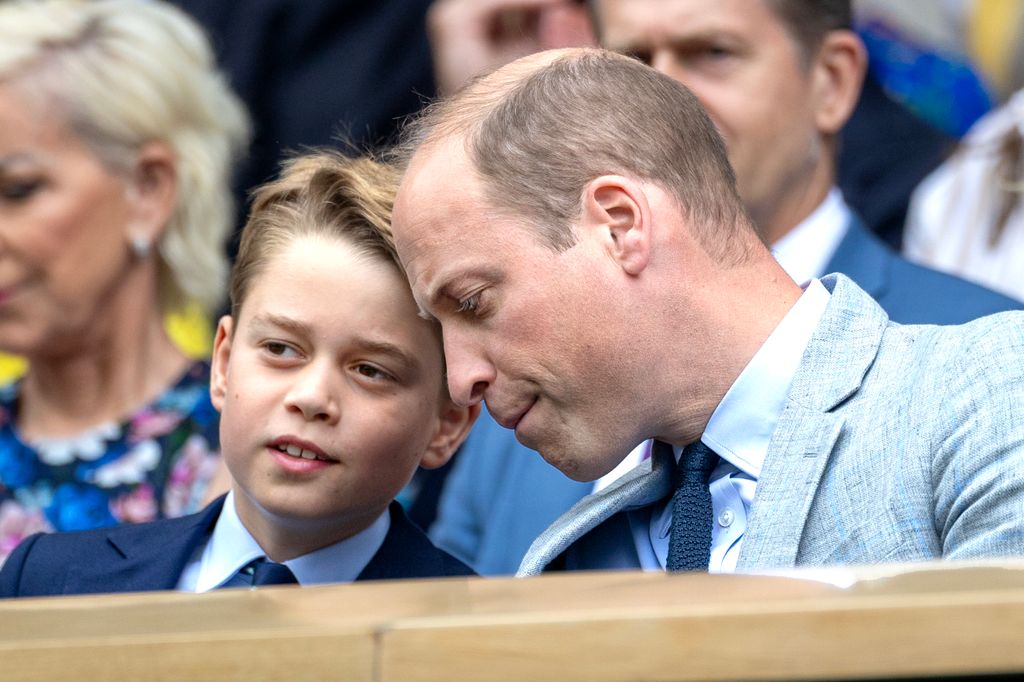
x: 833, y: 369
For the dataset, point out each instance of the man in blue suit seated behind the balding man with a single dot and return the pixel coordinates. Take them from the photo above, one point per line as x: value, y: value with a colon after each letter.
x: 780, y: 79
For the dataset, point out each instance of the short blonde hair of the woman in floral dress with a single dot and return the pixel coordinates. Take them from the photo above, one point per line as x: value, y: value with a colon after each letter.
x: 124, y: 73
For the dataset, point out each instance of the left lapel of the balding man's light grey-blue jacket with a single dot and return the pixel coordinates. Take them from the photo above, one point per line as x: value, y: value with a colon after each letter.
x: 646, y: 485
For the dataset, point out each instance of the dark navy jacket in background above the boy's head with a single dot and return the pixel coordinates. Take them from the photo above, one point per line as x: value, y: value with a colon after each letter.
x: 311, y: 71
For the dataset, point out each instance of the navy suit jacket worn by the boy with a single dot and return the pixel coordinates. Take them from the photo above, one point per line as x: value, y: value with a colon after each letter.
x: 145, y: 558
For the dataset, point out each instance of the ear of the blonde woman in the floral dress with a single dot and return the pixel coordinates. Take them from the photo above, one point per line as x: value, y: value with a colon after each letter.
x: 153, y: 190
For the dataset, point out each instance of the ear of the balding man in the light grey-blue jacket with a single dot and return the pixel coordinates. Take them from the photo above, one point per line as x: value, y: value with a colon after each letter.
x: 617, y: 210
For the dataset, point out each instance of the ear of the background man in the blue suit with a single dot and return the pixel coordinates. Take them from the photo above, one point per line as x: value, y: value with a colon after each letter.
x: 838, y: 74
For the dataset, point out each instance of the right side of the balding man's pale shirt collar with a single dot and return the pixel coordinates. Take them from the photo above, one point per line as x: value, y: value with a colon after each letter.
x: 742, y: 427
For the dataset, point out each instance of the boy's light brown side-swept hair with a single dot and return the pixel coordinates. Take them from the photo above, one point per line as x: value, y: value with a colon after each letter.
x: 320, y: 194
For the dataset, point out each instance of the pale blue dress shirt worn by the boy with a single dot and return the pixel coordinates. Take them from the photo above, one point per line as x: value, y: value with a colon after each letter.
x: 231, y: 548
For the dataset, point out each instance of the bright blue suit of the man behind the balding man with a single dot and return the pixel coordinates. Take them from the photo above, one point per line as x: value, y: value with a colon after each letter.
x: 501, y: 495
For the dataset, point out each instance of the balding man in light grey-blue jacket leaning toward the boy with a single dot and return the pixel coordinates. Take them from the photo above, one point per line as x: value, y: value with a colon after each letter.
x: 574, y: 224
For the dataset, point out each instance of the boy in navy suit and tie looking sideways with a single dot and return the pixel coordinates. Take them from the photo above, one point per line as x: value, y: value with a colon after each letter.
x: 331, y: 391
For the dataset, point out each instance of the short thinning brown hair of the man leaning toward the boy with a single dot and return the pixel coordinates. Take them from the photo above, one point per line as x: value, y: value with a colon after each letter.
x: 537, y: 140
